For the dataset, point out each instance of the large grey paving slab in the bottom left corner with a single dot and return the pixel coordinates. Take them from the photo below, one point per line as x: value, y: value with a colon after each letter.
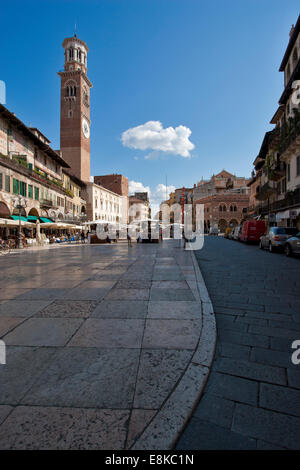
x: 50, y: 428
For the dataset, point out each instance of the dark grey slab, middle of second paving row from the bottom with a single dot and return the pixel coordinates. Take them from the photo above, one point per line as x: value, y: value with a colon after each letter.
x: 87, y: 377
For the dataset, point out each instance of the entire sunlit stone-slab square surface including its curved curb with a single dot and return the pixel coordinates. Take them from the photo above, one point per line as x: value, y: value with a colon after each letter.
x: 107, y: 344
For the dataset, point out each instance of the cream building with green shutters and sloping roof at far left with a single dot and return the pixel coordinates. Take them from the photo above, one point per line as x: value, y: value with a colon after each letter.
x: 31, y: 168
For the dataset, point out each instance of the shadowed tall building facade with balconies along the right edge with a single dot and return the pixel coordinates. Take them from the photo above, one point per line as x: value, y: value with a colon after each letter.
x: 277, y: 166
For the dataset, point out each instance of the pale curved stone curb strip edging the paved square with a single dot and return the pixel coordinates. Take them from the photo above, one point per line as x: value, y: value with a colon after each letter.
x: 166, y: 427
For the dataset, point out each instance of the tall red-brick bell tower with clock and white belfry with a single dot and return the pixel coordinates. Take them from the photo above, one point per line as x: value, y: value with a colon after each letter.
x: 75, y: 108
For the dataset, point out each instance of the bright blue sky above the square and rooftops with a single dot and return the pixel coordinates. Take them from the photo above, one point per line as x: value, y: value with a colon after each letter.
x: 211, y: 67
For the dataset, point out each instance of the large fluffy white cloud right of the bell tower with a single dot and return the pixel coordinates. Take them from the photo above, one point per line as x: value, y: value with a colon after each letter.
x: 152, y: 135
